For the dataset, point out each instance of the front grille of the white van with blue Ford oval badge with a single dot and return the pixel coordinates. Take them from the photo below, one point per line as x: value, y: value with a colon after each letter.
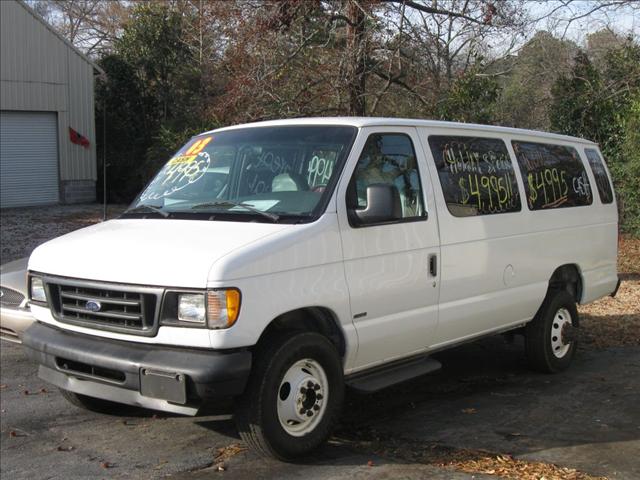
x: 117, y: 308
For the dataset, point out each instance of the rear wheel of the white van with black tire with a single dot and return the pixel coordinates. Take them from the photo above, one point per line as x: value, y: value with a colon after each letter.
x: 540, y: 332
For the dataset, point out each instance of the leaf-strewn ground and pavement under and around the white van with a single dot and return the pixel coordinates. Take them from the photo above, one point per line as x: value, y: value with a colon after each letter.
x: 484, y: 415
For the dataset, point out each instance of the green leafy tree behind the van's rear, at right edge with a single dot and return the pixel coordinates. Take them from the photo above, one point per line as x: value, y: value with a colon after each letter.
x: 604, y: 106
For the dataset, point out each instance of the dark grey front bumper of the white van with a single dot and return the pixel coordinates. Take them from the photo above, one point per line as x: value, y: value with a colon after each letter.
x: 112, y: 369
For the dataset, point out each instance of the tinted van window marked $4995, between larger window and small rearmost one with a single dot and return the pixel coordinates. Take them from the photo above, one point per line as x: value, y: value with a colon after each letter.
x: 553, y: 176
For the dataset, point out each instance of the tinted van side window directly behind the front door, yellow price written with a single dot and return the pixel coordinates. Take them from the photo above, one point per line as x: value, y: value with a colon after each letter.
x: 476, y: 175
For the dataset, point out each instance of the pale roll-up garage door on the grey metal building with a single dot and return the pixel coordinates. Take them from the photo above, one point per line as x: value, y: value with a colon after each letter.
x: 28, y: 158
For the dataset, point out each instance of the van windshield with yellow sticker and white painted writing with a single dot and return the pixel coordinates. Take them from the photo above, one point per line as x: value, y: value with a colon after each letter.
x: 263, y: 173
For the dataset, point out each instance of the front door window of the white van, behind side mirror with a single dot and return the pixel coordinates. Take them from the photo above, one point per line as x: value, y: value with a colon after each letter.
x: 388, y: 159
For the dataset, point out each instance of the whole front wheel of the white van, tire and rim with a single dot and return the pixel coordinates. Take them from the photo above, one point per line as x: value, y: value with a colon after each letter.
x: 293, y: 397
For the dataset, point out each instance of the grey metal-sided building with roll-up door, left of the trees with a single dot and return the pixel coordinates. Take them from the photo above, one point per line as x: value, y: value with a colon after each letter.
x: 47, y: 125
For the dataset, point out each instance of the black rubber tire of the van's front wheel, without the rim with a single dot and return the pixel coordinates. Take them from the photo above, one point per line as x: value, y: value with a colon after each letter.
x: 256, y: 412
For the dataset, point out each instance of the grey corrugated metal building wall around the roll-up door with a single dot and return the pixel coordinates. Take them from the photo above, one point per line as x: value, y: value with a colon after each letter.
x: 40, y: 72
